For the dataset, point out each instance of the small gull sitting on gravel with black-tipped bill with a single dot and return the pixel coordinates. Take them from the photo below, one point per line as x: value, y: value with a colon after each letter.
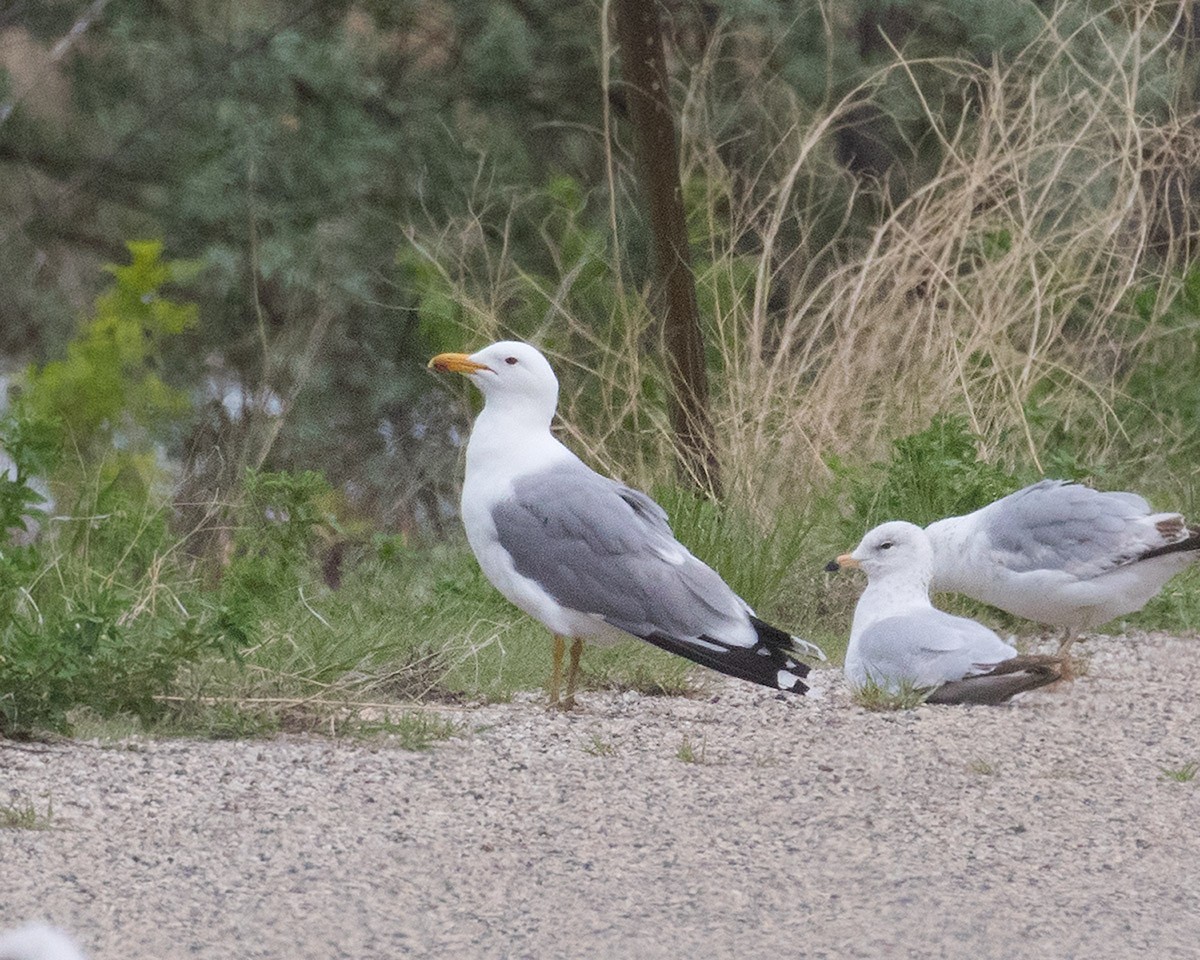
x: 898, y: 639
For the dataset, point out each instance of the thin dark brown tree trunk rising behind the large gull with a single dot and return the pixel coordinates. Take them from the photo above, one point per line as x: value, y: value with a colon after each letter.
x: 647, y: 95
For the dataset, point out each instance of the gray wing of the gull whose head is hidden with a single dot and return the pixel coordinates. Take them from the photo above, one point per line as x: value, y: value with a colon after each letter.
x: 1055, y: 525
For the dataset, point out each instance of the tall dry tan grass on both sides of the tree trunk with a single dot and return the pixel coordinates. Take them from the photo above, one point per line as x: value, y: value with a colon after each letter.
x: 1005, y: 277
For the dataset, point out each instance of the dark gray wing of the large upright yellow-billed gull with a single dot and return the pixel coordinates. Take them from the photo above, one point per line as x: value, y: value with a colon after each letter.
x: 601, y: 548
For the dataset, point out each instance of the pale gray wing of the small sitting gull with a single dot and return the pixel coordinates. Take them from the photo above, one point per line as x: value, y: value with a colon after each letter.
x: 929, y: 649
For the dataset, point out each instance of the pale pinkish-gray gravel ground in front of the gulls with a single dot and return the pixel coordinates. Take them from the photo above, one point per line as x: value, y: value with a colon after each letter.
x: 811, y: 829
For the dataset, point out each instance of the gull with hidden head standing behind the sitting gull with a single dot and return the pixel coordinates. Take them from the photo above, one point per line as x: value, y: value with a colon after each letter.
x: 1063, y: 555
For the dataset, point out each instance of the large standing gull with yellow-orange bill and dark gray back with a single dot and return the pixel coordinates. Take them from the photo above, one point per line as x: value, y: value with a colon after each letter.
x: 586, y: 556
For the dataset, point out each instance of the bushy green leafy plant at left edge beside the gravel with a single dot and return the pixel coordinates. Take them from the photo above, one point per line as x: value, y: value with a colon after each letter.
x: 95, y: 613
